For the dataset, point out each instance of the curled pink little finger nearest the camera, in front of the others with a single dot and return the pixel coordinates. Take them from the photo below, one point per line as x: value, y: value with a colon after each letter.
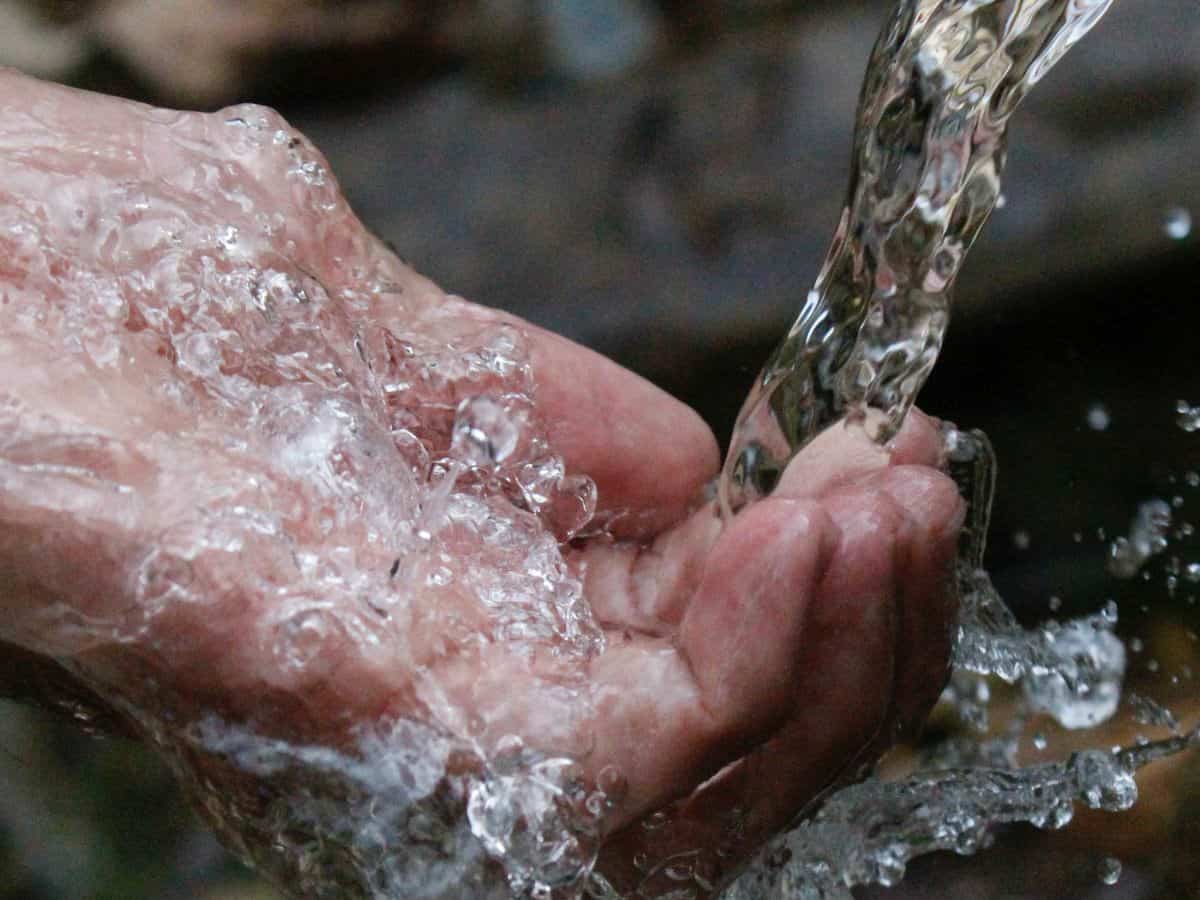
x: 670, y: 715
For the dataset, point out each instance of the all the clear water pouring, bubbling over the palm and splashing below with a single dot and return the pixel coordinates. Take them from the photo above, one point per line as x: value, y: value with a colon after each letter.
x: 367, y: 459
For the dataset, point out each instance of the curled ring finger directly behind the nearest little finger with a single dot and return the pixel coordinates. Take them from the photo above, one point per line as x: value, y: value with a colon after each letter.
x: 837, y: 703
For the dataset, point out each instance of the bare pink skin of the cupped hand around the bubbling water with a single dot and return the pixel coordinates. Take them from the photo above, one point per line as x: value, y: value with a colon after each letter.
x: 782, y: 651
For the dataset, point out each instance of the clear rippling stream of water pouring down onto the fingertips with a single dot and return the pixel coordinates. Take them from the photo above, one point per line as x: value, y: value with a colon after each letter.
x: 943, y: 85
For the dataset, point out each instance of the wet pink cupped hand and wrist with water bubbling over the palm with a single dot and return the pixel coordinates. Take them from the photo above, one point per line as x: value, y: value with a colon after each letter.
x: 254, y: 470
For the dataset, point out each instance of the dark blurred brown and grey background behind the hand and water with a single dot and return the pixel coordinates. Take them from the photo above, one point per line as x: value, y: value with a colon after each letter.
x: 659, y: 179
